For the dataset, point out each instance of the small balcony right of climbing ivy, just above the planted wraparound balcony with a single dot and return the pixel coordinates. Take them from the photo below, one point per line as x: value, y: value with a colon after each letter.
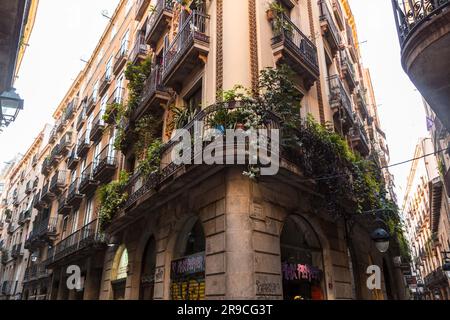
x: 154, y: 95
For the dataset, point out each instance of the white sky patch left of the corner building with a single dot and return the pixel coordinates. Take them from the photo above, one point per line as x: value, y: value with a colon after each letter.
x: 64, y: 32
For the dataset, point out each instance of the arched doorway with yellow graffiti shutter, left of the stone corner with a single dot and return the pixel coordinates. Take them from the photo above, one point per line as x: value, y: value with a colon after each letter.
x: 187, y: 272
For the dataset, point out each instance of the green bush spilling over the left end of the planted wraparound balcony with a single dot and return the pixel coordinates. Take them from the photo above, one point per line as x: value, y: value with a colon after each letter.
x: 112, y: 196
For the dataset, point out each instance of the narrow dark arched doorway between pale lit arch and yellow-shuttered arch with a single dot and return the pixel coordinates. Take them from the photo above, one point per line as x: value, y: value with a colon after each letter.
x: 147, y: 280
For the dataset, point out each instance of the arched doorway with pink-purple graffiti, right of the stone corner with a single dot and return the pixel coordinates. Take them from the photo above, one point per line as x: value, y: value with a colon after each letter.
x: 302, y: 261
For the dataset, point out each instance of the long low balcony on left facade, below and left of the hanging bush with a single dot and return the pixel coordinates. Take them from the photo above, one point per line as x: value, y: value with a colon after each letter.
x: 84, y: 242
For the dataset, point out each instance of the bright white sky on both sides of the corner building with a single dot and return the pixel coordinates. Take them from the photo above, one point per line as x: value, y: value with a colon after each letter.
x: 67, y: 31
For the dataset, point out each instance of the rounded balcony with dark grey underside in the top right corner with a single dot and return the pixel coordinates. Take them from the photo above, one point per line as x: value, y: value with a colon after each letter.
x: 424, y: 33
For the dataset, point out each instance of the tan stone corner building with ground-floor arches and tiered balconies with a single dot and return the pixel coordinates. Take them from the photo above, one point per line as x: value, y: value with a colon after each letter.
x: 204, y: 232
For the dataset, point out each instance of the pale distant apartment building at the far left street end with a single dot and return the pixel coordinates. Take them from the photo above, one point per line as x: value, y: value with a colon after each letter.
x: 22, y: 182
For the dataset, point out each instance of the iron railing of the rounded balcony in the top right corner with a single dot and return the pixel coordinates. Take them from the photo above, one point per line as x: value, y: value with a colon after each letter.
x: 409, y: 14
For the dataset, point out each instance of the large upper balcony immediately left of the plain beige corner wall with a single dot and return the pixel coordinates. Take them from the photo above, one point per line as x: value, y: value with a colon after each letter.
x: 187, y: 50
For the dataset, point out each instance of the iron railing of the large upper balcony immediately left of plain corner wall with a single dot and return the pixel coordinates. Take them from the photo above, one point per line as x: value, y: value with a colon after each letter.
x: 194, y: 28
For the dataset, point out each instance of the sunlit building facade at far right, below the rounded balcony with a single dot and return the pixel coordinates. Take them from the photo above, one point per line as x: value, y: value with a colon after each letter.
x: 426, y: 219
